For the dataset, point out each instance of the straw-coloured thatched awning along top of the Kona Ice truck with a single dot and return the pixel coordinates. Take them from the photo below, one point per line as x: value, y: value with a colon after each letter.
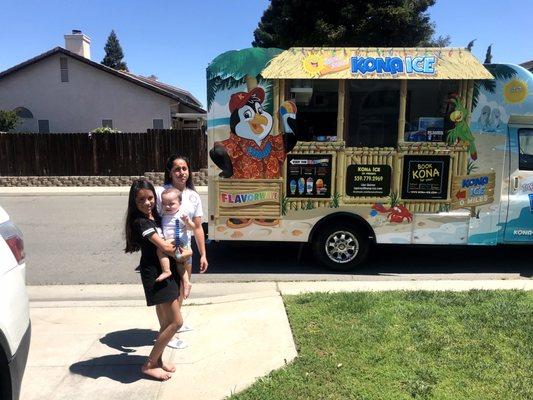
x: 335, y: 63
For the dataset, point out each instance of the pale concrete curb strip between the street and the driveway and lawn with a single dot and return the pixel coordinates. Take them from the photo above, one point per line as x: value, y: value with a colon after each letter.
x: 216, y: 293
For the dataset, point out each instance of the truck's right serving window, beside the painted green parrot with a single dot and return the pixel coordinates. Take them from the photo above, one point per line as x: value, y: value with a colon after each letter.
x: 428, y: 109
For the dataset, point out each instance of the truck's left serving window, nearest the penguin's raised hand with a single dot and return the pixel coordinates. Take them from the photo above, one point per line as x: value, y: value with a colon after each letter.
x: 317, y: 102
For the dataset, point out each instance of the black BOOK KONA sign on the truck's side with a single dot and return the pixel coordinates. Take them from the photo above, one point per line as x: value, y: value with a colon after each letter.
x: 425, y: 177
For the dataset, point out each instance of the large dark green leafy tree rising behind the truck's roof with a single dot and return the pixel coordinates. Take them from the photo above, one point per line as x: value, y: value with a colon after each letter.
x: 347, y: 23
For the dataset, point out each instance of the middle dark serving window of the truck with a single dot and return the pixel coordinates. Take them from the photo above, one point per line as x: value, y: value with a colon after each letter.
x: 372, y: 113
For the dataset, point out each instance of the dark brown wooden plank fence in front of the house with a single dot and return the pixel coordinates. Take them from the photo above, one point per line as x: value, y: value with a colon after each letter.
x: 106, y: 154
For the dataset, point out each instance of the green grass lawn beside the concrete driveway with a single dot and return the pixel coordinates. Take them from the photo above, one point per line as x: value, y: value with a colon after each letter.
x: 405, y: 345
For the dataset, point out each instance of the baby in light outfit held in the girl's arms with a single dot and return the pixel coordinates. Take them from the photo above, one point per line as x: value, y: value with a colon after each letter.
x: 175, y: 225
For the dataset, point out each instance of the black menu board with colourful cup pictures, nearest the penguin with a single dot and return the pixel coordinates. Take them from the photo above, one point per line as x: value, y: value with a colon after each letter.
x: 309, y: 175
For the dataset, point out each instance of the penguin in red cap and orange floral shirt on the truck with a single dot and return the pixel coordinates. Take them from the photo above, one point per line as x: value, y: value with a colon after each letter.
x: 251, y: 152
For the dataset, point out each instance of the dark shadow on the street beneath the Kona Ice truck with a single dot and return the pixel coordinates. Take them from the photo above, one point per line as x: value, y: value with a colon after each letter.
x: 295, y: 258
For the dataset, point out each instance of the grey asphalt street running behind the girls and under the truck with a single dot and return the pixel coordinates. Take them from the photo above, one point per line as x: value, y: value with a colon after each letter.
x: 77, y: 239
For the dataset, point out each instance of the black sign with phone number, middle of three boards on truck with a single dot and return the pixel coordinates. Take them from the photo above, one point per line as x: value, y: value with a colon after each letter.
x: 368, y: 180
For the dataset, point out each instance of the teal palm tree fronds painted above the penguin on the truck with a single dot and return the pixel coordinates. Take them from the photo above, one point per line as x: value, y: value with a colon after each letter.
x: 237, y: 67
